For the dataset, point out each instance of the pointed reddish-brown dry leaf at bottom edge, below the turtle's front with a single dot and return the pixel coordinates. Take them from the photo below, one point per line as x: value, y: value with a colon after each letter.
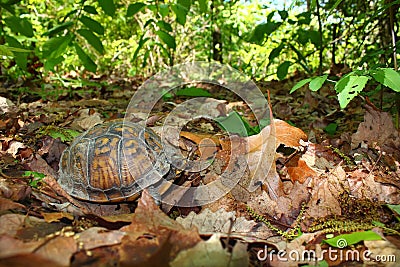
x: 153, y: 239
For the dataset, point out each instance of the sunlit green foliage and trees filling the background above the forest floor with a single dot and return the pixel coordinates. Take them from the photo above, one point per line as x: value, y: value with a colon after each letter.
x: 264, y: 39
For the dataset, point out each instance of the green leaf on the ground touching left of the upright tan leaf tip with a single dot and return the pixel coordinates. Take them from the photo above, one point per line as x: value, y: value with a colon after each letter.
x: 234, y: 123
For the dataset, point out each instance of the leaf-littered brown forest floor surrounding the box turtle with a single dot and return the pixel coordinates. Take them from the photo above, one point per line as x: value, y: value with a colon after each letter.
x: 336, y: 175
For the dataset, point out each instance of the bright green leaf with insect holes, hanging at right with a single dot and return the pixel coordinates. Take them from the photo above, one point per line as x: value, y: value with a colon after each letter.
x: 349, y: 87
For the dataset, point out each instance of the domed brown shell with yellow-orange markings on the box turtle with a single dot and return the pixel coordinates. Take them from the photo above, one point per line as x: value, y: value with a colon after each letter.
x: 105, y: 163
